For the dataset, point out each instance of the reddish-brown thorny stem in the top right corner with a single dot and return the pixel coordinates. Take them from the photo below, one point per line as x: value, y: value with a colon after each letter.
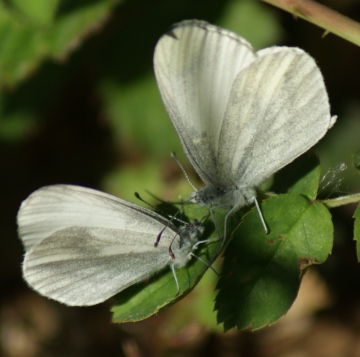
x: 321, y: 16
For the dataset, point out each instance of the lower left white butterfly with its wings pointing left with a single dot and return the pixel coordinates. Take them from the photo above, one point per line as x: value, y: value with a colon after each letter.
x: 84, y: 246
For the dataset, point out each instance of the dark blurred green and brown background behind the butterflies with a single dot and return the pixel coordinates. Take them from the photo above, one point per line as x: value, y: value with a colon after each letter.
x: 94, y: 118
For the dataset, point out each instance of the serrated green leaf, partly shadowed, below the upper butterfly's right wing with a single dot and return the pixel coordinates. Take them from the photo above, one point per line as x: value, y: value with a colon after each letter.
x: 261, y: 272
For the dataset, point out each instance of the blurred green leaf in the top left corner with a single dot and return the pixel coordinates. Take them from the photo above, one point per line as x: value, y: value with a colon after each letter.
x: 24, y: 46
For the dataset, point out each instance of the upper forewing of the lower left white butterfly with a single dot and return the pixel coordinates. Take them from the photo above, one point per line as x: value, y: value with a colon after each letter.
x: 52, y: 208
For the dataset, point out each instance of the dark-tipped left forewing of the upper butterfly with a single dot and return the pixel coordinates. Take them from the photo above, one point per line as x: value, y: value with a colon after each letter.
x: 195, y: 66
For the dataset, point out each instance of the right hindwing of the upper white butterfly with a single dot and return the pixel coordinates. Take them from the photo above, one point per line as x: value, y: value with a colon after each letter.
x: 278, y: 109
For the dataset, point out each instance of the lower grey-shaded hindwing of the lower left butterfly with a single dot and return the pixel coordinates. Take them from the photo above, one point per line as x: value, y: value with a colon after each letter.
x: 82, y: 266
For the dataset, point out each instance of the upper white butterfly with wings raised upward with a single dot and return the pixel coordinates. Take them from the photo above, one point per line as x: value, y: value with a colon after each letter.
x: 241, y: 115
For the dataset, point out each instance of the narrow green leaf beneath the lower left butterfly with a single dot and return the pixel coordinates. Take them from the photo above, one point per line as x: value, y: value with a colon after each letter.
x: 147, y: 298
